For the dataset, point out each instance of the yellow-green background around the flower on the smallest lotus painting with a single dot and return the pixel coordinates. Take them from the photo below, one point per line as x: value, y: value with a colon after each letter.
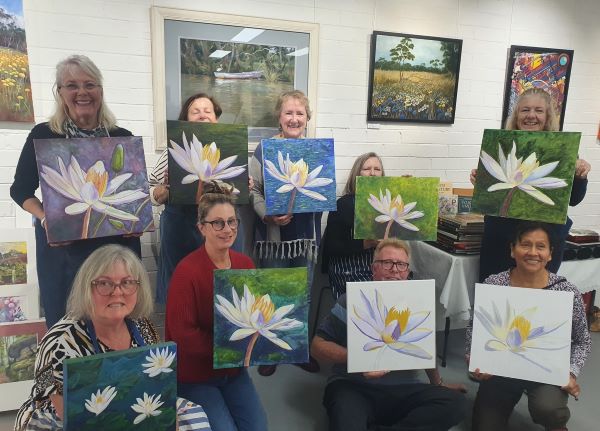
x: 420, y: 190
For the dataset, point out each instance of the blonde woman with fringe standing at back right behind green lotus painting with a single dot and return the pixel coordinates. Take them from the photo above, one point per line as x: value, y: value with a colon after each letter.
x: 534, y: 111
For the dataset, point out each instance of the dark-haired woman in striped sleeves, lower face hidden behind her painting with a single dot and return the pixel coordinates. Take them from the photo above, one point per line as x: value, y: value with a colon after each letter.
x: 178, y: 233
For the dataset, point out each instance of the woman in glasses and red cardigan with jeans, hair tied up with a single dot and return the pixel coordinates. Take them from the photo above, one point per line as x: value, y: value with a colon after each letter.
x: 227, y: 395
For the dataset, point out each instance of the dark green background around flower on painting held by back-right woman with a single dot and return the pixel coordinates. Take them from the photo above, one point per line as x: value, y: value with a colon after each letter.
x: 548, y: 147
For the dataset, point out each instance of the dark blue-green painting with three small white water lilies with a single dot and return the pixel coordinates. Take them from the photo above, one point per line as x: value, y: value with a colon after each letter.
x: 122, y: 390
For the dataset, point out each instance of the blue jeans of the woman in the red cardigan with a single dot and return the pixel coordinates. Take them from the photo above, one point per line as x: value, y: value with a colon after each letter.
x: 231, y: 403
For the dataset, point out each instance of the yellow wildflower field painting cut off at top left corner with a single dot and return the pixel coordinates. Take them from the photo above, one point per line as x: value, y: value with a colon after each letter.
x: 15, y: 84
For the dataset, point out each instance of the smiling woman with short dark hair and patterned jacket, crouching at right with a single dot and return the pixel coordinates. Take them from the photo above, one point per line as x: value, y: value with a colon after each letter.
x: 531, y: 249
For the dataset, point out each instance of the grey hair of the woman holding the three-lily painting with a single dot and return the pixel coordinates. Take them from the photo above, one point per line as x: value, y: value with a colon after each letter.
x: 80, y: 304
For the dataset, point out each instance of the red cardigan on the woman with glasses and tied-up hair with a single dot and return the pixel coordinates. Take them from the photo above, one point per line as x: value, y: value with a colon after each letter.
x: 190, y: 312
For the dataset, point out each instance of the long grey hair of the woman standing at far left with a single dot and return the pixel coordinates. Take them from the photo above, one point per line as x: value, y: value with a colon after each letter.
x: 56, y: 121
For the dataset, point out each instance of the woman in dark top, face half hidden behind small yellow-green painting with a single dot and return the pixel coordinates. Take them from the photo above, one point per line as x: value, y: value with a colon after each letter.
x: 345, y: 258
